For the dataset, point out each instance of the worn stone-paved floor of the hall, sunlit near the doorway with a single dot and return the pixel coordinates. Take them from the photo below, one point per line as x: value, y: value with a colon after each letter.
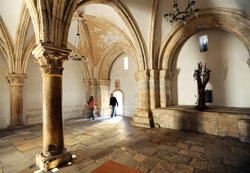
x: 148, y: 150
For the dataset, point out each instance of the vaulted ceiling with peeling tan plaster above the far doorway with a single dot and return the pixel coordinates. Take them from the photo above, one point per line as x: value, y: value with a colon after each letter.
x: 101, y: 28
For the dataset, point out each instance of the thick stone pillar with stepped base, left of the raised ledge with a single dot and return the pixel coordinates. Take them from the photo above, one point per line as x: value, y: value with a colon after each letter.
x: 143, y: 116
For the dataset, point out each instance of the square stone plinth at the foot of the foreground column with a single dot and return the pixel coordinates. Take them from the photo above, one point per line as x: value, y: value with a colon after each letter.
x: 46, y: 163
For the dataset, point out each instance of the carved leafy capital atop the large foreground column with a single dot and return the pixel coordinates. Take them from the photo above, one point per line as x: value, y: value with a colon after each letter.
x: 50, y: 58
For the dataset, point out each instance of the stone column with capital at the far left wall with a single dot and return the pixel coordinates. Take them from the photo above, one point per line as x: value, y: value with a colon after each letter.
x: 16, y: 99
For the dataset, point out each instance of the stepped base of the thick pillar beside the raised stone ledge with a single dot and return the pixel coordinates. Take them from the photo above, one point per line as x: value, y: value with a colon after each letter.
x: 143, y: 118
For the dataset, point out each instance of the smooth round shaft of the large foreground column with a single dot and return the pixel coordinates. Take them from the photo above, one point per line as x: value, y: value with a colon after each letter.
x: 52, y: 116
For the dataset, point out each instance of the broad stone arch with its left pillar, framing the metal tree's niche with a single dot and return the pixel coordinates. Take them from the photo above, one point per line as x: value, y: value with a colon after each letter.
x: 229, y: 20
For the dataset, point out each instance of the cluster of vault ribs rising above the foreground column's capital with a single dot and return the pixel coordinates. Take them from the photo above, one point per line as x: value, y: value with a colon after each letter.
x: 51, y: 20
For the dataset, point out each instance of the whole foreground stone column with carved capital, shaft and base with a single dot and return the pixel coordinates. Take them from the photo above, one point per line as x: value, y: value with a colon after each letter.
x: 51, y: 62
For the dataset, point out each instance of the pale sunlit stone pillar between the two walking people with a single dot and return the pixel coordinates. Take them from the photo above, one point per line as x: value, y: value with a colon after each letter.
x: 104, y: 96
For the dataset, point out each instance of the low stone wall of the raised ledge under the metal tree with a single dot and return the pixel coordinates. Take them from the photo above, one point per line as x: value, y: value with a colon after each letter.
x: 215, y: 123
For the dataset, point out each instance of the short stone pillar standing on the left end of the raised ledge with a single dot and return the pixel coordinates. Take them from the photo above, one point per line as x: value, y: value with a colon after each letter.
x: 165, y: 78
